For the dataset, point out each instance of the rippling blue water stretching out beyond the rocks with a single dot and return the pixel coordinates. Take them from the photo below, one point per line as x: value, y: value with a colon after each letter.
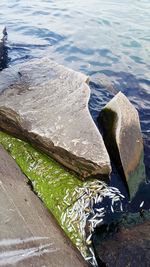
x: 108, y: 40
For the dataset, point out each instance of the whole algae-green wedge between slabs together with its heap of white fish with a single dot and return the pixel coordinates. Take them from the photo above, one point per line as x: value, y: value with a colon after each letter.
x: 68, y: 198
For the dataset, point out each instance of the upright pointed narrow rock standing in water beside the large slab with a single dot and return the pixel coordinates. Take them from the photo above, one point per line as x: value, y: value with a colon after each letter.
x: 123, y: 139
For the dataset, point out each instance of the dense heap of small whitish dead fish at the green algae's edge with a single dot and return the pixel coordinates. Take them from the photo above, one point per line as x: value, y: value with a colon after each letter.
x: 83, y: 213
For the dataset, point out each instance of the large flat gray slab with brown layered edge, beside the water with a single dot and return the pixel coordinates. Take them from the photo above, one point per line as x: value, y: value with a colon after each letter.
x: 47, y: 104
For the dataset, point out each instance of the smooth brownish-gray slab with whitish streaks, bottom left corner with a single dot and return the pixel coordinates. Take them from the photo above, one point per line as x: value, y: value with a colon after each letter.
x: 29, y: 235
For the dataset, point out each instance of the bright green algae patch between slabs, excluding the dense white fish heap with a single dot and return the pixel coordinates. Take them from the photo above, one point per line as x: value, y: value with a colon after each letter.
x: 56, y: 186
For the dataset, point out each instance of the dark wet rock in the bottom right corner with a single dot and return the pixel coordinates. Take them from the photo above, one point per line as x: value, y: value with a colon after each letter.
x: 128, y: 247
